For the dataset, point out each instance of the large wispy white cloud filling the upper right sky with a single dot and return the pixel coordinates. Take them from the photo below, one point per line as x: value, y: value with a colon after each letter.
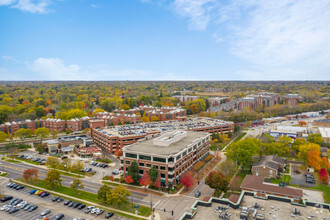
x: 285, y: 35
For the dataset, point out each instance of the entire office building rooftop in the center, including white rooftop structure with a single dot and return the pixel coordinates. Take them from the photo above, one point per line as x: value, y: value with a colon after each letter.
x: 173, y: 147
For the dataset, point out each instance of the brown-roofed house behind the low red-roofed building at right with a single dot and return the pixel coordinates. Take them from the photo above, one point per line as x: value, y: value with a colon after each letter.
x: 269, y: 166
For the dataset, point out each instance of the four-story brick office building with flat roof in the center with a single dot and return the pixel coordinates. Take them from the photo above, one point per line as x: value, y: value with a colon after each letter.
x: 172, y: 154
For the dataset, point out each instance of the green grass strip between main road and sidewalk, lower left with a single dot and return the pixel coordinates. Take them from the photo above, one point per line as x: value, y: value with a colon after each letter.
x: 143, y: 210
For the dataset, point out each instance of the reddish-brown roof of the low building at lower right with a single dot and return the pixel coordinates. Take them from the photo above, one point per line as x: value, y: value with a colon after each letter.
x: 256, y: 183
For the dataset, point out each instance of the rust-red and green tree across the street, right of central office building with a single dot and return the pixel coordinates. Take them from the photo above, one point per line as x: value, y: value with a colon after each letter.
x: 217, y: 181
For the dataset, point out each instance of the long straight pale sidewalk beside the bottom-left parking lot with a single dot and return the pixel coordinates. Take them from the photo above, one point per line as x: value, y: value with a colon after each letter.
x: 81, y: 200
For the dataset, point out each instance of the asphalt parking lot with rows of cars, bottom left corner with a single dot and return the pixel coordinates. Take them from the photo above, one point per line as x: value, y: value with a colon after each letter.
x: 43, y: 203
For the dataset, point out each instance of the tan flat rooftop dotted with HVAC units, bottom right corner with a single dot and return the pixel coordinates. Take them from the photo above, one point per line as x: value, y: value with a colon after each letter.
x: 270, y: 209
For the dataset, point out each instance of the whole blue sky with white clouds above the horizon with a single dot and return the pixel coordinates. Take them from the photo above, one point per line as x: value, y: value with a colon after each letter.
x: 164, y: 40
